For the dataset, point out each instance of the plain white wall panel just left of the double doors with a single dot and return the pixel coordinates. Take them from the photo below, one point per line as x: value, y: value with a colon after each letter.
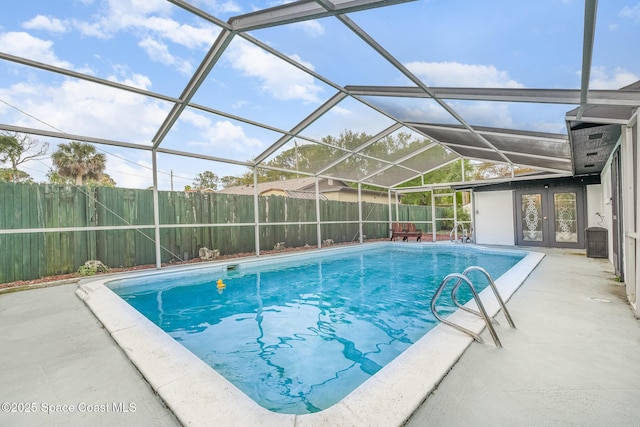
x: 494, y: 223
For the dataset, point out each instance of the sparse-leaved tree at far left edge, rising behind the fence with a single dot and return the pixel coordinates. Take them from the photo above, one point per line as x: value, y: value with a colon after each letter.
x: 16, y: 149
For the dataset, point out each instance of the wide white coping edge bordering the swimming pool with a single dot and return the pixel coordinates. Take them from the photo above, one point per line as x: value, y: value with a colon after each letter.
x: 198, y: 395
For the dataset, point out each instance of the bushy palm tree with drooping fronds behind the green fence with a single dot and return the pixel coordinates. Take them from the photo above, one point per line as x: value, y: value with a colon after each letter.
x: 79, y: 161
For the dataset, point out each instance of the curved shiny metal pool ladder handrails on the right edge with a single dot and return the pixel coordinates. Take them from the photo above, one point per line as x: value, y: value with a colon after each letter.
x: 463, y: 278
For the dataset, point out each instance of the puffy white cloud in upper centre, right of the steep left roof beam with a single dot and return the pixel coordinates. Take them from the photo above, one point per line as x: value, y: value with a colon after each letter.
x: 279, y: 79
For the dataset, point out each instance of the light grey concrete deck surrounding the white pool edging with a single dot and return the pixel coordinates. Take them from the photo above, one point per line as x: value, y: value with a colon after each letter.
x: 572, y: 361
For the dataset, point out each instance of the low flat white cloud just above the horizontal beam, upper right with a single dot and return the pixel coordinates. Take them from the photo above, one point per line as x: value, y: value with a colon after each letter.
x: 461, y: 75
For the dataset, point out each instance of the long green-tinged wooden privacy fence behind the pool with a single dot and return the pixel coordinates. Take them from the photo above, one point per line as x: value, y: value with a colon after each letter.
x: 47, y: 229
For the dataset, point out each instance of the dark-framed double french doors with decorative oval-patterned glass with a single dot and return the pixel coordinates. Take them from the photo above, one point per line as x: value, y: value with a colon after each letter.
x: 551, y: 217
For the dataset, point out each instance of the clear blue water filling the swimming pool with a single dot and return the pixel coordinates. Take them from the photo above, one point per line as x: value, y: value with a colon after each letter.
x: 298, y: 335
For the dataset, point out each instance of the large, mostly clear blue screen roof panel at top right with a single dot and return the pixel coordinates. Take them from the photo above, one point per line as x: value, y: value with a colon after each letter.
x: 484, y: 44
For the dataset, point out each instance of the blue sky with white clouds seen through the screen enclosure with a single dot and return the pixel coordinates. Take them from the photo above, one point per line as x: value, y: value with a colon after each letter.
x: 156, y: 46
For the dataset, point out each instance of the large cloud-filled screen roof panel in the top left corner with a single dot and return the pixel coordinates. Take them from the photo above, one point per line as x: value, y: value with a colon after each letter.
x: 159, y: 46
